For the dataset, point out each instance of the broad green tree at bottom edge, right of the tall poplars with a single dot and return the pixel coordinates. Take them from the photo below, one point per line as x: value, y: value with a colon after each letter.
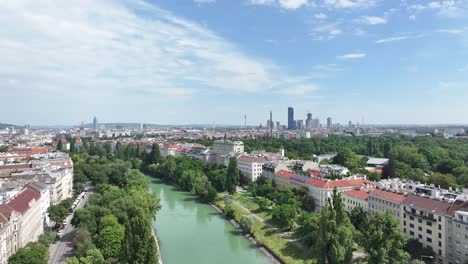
x: 384, y: 241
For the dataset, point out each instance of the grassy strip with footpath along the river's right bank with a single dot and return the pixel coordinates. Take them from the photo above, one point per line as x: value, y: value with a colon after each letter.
x: 286, y: 250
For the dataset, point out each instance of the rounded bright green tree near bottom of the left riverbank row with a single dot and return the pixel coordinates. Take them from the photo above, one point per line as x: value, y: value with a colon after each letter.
x: 110, y: 236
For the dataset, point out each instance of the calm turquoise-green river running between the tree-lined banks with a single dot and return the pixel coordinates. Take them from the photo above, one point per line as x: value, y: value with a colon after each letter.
x: 193, y: 232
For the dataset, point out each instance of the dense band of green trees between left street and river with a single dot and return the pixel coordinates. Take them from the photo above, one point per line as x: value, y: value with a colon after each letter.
x: 116, y: 224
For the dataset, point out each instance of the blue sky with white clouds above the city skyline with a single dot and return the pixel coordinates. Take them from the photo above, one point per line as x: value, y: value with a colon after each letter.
x: 212, y: 61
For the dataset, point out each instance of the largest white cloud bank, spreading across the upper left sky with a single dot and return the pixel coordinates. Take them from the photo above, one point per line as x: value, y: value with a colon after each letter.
x: 89, y: 48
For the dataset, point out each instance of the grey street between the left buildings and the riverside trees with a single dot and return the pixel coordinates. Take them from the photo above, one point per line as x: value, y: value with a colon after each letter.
x: 63, y: 249
